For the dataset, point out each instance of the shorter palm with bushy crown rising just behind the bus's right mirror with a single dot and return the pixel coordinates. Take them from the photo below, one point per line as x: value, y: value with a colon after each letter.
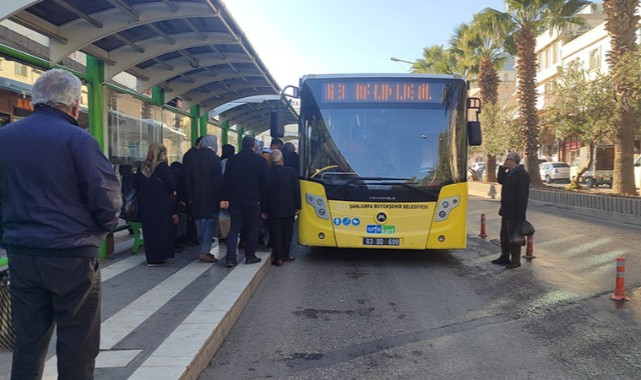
x: 480, y: 46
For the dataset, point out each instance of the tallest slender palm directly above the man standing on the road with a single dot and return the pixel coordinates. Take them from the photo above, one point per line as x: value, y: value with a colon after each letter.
x: 527, y: 19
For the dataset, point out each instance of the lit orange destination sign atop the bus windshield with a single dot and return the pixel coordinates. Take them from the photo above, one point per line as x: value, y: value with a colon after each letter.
x: 382, y: 91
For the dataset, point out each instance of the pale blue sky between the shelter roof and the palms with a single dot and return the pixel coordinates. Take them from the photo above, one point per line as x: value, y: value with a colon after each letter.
x: 298, y: 37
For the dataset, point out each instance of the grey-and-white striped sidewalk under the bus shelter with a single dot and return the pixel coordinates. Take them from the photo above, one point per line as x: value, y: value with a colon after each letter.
x: 163, y: 322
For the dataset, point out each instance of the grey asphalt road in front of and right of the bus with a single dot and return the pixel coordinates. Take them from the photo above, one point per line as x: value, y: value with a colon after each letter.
x: 352, y: 314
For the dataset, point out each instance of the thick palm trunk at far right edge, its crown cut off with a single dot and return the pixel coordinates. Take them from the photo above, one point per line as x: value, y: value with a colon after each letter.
x: 621, y: 23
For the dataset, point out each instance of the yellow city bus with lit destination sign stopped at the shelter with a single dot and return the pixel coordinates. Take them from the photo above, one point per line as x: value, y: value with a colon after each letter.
x: 383, y: 160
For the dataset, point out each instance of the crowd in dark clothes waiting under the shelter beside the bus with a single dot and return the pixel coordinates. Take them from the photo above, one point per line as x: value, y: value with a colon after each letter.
x: 184, y: 197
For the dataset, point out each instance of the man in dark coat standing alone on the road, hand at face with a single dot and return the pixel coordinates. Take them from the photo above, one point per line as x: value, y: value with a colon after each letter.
x: 515, y: 191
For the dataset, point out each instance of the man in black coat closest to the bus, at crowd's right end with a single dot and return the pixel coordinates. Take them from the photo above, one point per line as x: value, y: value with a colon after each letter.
x: 282, y: 206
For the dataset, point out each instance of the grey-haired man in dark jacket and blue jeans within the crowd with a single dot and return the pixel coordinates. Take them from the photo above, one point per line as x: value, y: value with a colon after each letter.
x: 203, y: 183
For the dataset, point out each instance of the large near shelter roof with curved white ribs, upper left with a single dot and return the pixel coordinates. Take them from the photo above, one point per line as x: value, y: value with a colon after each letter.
x: 193, y: 49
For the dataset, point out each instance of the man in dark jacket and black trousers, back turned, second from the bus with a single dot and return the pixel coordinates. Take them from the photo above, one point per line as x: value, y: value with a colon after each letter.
x: 246, y: 185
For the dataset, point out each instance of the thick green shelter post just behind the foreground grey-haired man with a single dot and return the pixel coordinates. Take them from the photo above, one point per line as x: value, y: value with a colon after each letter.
x: 95, y: 78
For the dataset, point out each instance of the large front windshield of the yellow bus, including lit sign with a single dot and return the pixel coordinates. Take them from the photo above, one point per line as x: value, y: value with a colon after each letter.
x: 379, y: 141
